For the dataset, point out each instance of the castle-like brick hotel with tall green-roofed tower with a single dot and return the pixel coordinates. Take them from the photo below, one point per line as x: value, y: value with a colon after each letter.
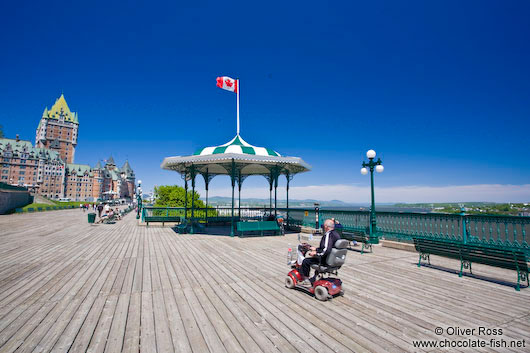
x: 48, y: 168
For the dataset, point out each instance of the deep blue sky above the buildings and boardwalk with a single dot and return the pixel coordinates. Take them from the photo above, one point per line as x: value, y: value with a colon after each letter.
x: 441, y: 90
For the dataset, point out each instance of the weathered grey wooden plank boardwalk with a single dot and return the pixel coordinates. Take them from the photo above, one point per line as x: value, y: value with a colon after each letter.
x: 68, y: 286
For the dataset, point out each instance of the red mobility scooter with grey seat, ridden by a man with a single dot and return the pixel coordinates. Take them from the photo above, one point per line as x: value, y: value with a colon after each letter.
x: 323, y: 288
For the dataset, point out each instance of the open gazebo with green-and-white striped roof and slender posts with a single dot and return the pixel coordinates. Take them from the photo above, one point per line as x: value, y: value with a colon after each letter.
x: 237, y: 159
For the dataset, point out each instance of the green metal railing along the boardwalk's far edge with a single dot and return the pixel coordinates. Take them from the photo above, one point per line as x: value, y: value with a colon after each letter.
x: 502, y: 231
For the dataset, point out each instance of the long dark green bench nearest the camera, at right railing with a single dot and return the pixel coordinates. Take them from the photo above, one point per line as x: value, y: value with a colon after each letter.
x: 488, y: 254
